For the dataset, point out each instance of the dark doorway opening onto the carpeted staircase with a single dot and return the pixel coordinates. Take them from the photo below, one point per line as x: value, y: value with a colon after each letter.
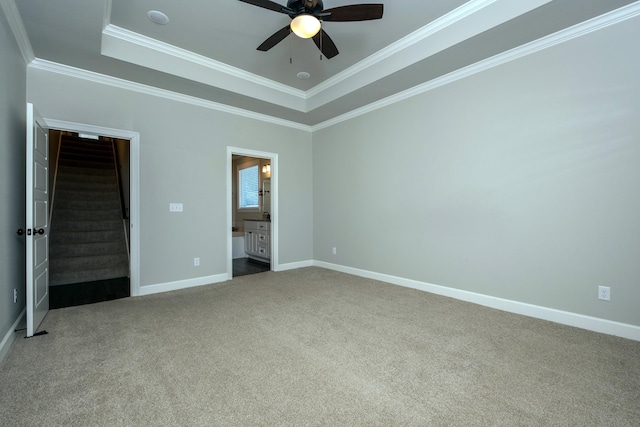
x: 89, y: 217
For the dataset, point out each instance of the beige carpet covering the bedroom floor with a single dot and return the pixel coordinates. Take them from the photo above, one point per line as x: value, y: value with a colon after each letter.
x: 314, y: 347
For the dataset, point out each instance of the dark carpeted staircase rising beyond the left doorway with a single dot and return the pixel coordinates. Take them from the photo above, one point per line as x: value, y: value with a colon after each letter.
x: 88, y: 241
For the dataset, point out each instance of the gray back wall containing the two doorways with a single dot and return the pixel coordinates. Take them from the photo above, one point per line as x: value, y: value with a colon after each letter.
x: 183, y: 154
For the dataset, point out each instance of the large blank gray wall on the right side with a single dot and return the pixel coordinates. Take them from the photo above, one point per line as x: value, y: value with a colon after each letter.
x: 520, y: 182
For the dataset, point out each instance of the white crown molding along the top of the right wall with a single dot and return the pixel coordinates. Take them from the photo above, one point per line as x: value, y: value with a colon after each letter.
x: 579, y: 30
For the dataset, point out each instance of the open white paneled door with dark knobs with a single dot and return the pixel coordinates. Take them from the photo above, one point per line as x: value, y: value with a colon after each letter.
x: 37, y: 220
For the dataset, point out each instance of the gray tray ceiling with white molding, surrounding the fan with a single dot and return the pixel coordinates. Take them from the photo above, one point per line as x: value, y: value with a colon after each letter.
x: 207, y: 51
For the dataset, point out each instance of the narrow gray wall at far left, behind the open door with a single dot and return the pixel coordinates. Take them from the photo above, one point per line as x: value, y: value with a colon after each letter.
x: 12, y: 177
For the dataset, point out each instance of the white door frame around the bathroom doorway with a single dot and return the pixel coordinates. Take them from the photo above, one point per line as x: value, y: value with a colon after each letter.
x: 273, y: 157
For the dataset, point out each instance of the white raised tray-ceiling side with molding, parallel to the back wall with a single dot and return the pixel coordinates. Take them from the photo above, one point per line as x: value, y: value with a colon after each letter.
x: 119, y: 42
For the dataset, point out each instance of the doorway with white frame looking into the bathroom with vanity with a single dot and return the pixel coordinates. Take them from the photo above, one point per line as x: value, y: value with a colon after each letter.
x: 252, y: 207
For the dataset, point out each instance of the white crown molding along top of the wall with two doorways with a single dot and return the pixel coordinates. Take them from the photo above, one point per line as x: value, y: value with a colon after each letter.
x: 41, y: 64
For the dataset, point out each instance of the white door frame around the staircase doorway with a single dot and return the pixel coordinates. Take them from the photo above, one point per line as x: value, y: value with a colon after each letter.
x: 134, y: 186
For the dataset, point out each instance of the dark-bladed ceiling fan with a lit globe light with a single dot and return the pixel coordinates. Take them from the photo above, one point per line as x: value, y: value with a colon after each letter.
x: 305, y: 20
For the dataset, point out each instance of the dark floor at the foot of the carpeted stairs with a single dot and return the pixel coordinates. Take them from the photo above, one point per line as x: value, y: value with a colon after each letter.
x: 88, y: 292
